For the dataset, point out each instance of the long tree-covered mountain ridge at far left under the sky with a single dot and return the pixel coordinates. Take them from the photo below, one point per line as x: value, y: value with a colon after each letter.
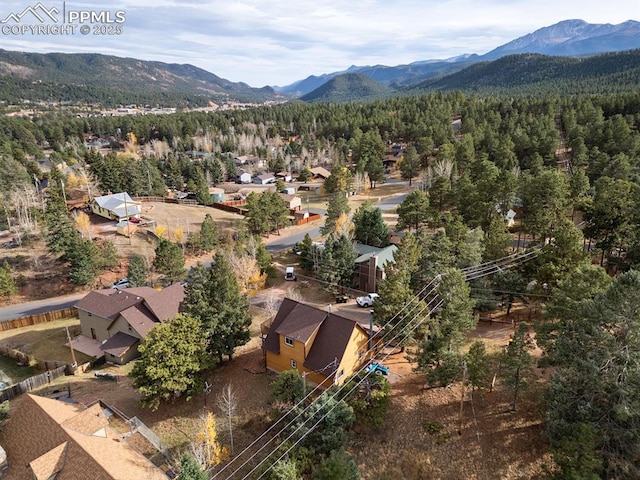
x: 109, y: 81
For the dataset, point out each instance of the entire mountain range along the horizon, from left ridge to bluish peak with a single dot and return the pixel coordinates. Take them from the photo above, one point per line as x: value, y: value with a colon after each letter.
x: 110, y: 80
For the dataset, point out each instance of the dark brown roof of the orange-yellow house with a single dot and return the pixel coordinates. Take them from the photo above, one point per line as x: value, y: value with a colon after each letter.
x: 299, y: 322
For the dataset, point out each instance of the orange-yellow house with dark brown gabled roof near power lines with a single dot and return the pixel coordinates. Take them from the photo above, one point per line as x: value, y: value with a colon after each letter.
x: 324, y: 346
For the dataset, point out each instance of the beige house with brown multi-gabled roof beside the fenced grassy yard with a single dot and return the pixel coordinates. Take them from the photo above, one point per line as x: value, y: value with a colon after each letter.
x: 114, y: 321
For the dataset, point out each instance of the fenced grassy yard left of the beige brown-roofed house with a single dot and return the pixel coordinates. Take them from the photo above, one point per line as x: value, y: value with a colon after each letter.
x: 45, y: 341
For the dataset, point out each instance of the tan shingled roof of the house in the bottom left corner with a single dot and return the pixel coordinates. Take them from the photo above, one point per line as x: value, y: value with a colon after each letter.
x: 47, y: 439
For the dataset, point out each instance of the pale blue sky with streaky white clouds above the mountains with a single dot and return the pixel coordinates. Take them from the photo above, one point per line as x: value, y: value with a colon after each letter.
x: 277, y: 42
